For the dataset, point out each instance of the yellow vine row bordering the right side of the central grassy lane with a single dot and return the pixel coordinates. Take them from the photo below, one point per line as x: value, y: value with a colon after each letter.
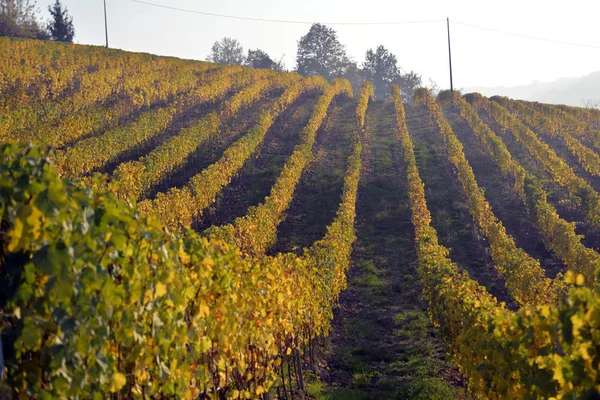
x: 533, y: 353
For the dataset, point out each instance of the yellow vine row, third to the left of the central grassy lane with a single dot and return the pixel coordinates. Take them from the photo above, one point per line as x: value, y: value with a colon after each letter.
x: 178, y: 207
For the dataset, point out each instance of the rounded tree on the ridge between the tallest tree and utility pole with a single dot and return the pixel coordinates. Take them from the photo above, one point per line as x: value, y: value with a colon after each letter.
x: 381, y: 68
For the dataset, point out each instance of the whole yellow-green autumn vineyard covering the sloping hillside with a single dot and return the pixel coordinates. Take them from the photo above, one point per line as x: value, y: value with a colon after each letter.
x: 182, y: 229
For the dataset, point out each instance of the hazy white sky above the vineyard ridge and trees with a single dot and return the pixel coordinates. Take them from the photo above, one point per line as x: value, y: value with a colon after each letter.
x: 480, y: 58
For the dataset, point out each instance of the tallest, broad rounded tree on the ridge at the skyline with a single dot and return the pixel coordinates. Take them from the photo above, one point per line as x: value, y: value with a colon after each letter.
x: 320, y: 53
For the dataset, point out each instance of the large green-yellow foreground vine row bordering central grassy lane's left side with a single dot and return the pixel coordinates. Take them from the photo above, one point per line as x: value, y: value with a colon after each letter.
x: 169, y: 315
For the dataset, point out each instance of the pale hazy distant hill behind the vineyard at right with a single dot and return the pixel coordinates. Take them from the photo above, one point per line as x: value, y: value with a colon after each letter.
x: 569, y: 91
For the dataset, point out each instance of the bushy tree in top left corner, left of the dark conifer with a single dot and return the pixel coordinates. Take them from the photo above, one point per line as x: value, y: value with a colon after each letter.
x: 18, y: 19
